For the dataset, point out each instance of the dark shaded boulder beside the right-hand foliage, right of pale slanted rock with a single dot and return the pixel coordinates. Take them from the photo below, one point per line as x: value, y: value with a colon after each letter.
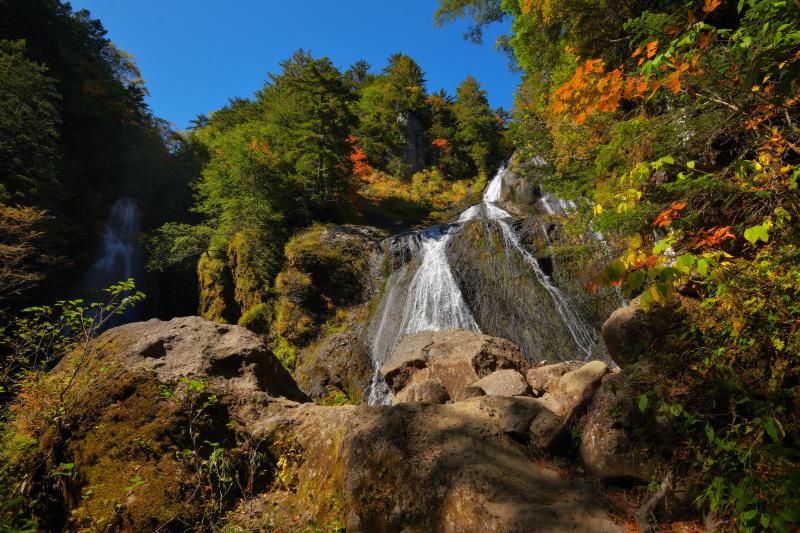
x: 608, y: 447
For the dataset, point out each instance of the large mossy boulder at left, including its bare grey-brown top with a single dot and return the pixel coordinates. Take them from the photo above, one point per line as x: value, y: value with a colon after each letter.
x: 133, y: 404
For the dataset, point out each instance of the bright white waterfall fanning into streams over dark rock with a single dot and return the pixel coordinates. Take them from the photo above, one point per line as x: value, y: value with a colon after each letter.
x: 428, y: 298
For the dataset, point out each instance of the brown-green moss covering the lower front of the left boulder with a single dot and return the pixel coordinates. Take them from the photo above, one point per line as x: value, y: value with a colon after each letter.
x: 111, y: 459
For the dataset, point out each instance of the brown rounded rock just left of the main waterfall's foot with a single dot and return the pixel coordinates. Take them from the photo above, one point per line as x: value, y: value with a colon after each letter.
x: 341, y: 362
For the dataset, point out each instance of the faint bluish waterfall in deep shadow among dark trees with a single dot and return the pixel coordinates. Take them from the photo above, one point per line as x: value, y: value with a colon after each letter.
x: 120, y: 257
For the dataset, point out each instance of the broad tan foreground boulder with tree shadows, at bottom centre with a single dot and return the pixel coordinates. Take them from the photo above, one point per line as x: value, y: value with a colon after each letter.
x: 417, y: 468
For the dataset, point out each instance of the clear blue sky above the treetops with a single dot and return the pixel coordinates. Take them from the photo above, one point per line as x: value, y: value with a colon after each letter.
x: 195, y: 54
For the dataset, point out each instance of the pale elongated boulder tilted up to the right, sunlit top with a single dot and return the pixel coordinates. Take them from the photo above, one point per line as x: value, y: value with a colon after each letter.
x: 574, y: 391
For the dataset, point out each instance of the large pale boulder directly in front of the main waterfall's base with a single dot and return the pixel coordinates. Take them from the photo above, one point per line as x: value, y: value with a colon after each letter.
x: 456, y: 359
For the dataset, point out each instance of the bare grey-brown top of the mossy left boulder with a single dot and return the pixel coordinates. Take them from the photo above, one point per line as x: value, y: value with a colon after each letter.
x: 232, y: 358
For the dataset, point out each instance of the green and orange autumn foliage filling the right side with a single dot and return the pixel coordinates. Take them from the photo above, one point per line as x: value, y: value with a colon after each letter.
x: 683, y: 139
